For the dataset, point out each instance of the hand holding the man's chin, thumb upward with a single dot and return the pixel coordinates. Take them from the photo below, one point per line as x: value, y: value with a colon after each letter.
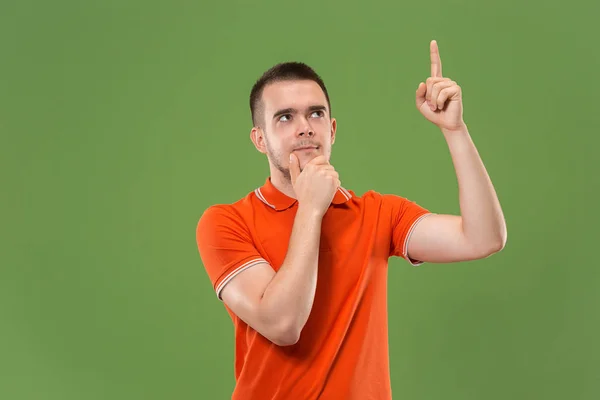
x: 316, y: 185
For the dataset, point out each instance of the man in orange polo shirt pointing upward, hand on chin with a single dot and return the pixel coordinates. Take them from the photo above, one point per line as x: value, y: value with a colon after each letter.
x: 301, y: 263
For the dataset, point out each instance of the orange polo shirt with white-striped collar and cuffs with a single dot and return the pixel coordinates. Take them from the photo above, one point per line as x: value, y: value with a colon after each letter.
x: 342, y: 353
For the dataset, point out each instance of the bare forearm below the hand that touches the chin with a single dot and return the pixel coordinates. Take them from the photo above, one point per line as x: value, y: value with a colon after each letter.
x: 288, y: 299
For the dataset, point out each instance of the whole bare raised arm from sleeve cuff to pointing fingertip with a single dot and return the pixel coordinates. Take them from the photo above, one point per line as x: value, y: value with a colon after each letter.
x: 480, y: 230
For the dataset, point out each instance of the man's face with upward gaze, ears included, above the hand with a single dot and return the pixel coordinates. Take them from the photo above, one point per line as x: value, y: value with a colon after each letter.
x: 296, y: 120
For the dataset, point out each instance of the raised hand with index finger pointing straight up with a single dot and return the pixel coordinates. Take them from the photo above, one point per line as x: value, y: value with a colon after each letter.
x: 440, y: 99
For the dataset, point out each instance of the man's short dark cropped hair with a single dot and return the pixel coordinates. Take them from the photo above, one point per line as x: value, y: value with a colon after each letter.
x: 287, y: 71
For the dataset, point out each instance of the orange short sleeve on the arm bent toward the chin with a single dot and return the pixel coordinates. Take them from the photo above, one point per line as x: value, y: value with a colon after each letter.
x: 225, y: 246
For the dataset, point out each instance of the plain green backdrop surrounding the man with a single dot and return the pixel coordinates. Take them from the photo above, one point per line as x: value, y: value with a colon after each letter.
x: 121, y: 121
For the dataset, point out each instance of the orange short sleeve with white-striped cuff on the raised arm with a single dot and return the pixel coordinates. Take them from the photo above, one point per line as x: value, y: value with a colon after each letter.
x: 404, y: 216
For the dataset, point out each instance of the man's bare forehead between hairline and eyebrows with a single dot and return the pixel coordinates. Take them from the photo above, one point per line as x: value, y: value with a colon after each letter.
x: 292, y: 94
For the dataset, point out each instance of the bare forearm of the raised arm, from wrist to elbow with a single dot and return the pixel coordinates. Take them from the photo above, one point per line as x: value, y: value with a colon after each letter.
x: 482, y: 218
